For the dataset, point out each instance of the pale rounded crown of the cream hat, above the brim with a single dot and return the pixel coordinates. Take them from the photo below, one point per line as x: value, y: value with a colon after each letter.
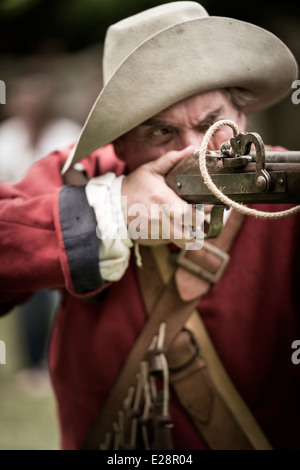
x: 124, y: 37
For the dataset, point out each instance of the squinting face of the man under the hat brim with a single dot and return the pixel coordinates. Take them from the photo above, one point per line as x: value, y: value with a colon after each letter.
x: 179, y: 126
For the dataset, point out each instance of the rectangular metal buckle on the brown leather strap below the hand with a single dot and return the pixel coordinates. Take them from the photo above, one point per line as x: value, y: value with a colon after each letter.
x: 199, y: 271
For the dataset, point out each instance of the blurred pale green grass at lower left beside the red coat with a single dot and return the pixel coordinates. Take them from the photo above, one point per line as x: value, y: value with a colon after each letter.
x: 27, y: 422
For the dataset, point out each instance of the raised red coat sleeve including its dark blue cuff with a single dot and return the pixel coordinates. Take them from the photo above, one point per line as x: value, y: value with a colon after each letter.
x: 48, y: 236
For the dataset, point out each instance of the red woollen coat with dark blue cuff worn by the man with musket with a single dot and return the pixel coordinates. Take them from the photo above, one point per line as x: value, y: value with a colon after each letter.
x: 48, y: 240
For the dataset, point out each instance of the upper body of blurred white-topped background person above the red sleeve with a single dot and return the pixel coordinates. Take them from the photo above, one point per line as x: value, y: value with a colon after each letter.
x: 32, y: 129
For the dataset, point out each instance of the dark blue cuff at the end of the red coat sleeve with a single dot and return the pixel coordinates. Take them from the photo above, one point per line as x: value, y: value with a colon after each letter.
x: 78, y: 223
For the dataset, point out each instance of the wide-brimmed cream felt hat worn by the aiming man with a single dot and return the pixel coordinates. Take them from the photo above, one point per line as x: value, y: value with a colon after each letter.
x: 167, y: 53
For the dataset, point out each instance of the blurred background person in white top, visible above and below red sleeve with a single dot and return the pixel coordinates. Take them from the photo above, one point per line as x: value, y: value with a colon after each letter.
x: 31, y: 131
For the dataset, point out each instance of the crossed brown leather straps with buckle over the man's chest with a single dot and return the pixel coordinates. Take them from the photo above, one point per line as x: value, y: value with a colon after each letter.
x: 196, y: 373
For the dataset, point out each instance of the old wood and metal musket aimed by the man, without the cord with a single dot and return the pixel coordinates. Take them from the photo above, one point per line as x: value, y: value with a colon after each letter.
x: 244, y: 175
